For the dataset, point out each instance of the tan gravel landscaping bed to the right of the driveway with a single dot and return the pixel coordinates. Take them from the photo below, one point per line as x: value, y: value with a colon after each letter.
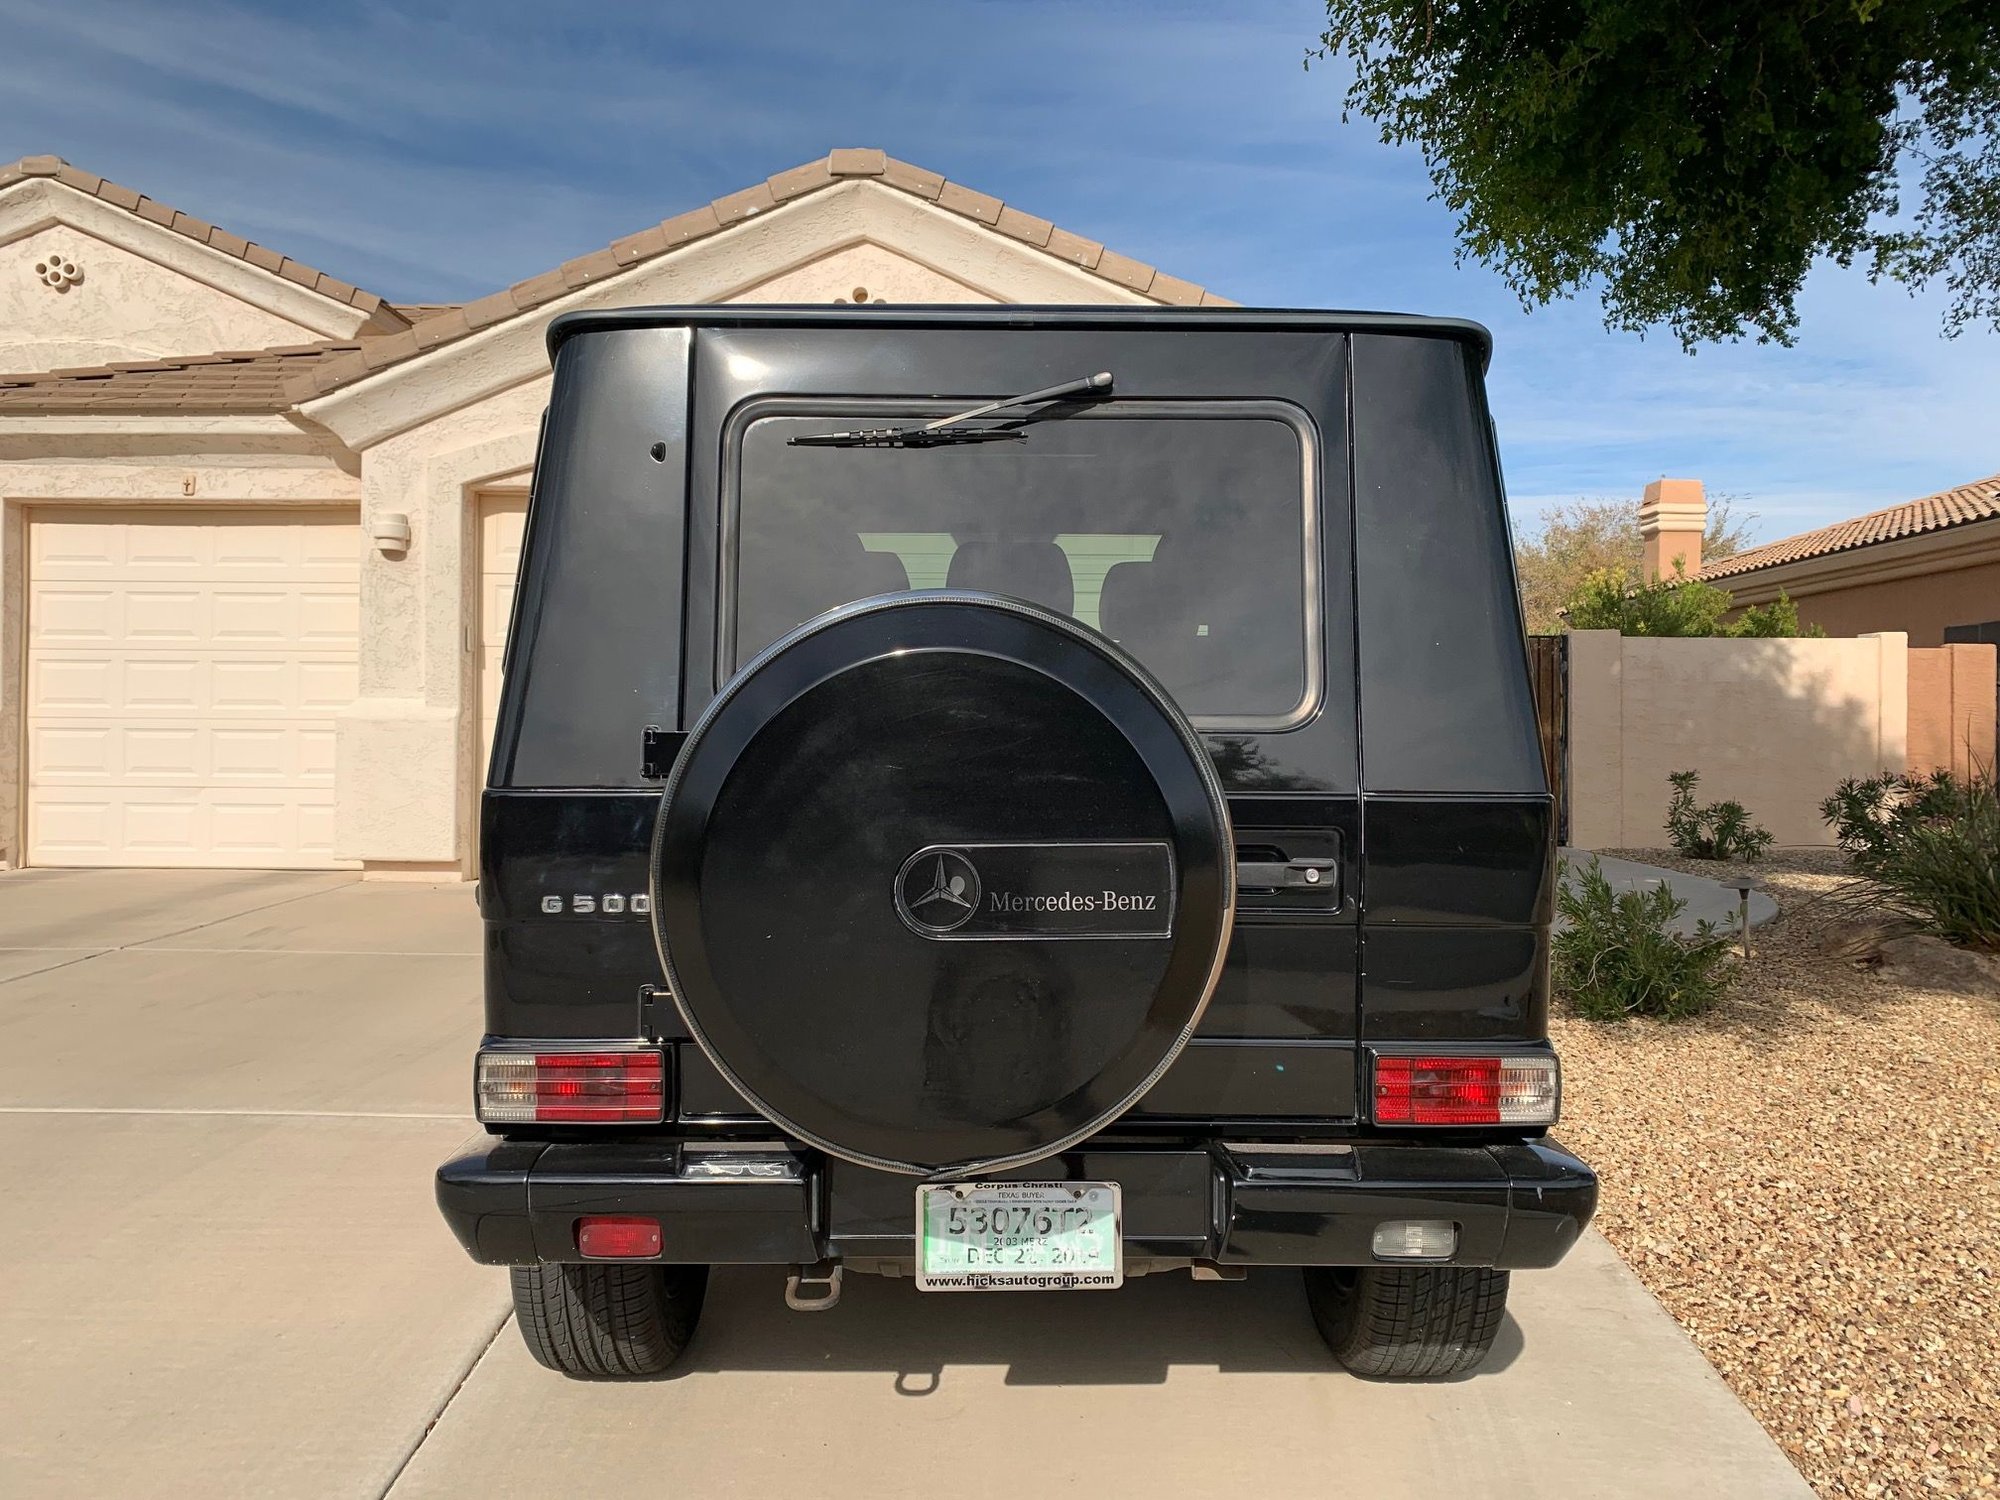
x: 1809, y: 1179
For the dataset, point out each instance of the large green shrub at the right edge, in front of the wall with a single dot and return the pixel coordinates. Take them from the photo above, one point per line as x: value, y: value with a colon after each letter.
x: 1933, y: 847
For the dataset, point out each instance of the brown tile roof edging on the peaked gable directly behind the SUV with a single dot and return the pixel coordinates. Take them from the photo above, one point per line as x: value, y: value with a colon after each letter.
x: 849, y: 165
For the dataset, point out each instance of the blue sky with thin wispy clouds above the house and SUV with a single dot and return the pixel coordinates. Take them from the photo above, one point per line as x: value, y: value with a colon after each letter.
x: 441, y: 151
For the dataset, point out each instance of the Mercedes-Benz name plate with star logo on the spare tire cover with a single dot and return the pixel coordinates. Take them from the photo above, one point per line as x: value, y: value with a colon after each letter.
x: 959, y: 893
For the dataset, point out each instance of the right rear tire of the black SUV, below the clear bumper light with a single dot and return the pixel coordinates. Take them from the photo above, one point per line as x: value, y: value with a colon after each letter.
x: 1407, y: 1323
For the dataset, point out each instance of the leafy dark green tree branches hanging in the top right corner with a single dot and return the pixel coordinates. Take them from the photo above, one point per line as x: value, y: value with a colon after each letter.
x: 1697, y: 159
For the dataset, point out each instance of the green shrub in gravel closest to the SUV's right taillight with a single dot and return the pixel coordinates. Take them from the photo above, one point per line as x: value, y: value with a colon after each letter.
x: 1619, y: 953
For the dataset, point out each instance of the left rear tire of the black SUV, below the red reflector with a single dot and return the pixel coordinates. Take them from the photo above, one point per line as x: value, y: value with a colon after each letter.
x: 609, y: 1323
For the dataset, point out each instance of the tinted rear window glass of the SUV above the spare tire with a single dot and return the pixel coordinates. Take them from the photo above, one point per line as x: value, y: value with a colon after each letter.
x: 1185, y: 537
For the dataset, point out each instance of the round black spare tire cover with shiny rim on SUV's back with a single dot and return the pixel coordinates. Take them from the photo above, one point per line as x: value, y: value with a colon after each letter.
x: 943, y: 883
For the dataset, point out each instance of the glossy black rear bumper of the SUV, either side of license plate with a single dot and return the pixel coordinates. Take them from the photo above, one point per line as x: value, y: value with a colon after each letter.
x: 1517, y: 1205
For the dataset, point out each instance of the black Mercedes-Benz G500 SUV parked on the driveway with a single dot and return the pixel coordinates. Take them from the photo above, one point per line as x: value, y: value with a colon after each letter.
x: 1017, y: 799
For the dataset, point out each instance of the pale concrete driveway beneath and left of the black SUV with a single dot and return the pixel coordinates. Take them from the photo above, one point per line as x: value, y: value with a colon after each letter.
x: 221, y: 1101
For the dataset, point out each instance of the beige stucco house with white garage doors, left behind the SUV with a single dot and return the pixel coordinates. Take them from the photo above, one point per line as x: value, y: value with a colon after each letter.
x: 259, y: 527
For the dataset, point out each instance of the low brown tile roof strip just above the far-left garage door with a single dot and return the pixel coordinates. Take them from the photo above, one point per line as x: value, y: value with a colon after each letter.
x: 247, y: 381
